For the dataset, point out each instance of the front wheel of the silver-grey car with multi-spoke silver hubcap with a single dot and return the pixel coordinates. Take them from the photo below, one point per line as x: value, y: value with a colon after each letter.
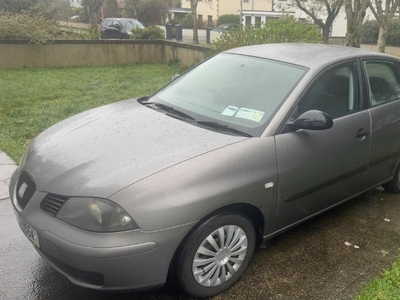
x: 216, y: 269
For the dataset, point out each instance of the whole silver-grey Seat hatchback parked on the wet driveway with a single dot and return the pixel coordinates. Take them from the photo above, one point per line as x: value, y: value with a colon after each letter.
x: 187, y: 182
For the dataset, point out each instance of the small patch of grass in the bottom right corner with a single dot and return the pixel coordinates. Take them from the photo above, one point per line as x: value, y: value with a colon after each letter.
x: 386, y: 287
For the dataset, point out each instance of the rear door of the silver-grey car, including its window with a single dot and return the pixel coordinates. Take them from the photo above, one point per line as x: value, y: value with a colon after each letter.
x: 383, y: 82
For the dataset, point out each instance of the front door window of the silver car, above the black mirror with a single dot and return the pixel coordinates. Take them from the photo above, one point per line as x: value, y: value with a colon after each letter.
x: 335, y: 93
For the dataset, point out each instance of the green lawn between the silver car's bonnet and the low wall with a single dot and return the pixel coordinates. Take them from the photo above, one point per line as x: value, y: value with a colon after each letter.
x: 33, y: 99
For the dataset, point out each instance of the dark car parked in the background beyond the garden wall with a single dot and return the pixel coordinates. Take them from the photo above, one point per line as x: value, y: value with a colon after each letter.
x: 118, y: 28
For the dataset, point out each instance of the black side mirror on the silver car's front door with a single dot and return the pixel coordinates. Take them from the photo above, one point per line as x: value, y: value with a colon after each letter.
x: 311, y: 120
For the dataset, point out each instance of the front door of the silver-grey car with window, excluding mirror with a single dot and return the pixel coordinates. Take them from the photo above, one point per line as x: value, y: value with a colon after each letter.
x: 319, y: 169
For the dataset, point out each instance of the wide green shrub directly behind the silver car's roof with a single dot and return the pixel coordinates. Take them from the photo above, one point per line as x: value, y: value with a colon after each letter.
x: 284, y: 30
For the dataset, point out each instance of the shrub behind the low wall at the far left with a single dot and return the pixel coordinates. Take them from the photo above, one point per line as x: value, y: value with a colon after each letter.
x: 24, y: 26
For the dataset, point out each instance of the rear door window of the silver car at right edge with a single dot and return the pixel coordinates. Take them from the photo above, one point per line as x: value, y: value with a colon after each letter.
x: 383, y: 81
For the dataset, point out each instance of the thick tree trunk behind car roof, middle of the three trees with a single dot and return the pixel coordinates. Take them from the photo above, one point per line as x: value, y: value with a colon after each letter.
x: 355, y: 14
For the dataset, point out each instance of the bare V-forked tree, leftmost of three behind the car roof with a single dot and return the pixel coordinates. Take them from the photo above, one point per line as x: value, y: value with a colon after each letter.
x: 319, y: 10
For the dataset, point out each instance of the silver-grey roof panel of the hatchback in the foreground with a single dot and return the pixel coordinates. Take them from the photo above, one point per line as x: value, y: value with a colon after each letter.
x: 307, y: 55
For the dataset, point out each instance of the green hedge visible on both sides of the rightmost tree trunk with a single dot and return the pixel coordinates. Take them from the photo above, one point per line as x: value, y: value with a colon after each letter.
x: 370, y: 32
